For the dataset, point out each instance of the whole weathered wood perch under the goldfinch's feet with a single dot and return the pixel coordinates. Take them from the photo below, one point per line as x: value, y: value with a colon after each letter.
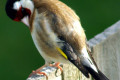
x: 70, y: 72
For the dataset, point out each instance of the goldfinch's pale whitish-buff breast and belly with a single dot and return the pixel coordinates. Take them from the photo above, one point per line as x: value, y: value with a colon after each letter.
x: 51, y: 38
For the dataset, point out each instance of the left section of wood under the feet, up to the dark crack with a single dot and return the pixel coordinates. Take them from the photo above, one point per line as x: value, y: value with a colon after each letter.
x: 52, y: 72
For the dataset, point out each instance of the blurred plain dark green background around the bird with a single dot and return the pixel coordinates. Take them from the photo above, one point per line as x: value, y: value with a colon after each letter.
x: 18, y: 55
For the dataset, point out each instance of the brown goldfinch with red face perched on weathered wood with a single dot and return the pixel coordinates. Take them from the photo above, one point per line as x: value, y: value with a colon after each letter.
x: 56, y: 32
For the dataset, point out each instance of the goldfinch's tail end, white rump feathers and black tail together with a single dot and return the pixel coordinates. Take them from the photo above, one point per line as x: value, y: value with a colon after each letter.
x: 90, y: 65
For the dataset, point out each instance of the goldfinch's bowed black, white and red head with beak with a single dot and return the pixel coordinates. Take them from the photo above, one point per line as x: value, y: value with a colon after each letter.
x: 20, y: 10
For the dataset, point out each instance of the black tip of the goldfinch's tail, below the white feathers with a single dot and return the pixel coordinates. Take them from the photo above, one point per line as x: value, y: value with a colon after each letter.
x: 97, y: 75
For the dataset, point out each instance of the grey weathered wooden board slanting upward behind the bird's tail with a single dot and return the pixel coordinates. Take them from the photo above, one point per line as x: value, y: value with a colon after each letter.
x: 106, y: 51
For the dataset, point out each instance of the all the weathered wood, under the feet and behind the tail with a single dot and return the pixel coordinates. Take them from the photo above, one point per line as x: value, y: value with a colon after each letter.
x: 106, y: 52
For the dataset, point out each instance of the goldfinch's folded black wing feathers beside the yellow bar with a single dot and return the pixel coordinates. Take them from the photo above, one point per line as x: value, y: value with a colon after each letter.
x: 73, y: 58
